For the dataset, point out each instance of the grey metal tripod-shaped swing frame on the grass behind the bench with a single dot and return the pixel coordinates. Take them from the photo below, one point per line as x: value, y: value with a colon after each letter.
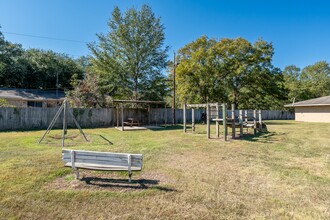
x: 65, y: 108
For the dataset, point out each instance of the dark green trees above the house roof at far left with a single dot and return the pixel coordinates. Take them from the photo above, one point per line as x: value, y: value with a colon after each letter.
x: 34, y: 68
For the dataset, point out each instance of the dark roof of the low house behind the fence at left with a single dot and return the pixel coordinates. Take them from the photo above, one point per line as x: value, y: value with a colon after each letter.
x: 31, y: 94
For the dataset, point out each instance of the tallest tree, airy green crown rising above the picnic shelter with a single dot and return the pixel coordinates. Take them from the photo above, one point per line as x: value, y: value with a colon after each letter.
x: 130, y: 58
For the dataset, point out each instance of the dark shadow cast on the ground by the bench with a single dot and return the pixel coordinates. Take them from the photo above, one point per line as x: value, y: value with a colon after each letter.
x: 139, y: 184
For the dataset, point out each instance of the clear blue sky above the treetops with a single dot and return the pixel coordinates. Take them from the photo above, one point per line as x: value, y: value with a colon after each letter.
x: 299, y: 30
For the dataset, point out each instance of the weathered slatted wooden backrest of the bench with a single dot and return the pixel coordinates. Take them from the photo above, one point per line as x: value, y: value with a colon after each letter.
x: 102, y: 158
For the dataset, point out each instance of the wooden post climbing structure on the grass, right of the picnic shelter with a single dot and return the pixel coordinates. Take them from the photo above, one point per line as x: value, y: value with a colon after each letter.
x: 213, y: 114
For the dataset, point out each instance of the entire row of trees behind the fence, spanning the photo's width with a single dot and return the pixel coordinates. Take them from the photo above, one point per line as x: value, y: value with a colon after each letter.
x: 129, y: 62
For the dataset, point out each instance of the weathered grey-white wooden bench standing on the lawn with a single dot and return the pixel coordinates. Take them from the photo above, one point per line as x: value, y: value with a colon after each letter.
x: 107, y: 161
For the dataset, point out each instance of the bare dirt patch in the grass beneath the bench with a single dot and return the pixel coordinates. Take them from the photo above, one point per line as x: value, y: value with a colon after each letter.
x: 99, y: 181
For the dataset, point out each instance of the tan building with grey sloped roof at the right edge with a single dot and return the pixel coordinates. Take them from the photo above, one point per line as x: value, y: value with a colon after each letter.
x: 312, y: 110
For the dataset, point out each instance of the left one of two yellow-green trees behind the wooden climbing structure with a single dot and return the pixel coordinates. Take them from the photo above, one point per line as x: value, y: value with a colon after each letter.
x: 196, y: 74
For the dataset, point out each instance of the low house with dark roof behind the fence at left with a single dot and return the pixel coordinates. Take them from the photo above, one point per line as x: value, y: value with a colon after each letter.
x: 32, y: 97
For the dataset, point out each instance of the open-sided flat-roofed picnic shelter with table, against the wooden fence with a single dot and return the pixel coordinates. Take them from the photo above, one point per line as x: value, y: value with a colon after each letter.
x: 137, y: 123
